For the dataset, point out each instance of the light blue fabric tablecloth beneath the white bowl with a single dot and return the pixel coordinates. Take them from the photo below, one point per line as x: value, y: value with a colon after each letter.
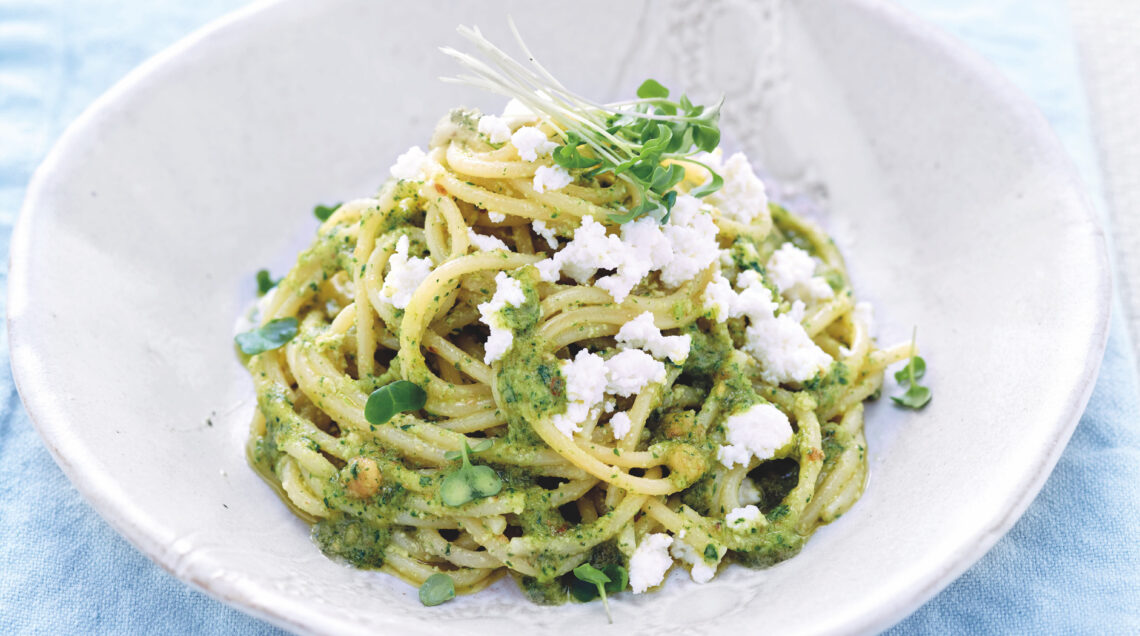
x: 1072, y: 565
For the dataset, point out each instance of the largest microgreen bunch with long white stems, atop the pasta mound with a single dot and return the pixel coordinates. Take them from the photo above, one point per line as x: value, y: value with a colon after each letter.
x: 639, y: 141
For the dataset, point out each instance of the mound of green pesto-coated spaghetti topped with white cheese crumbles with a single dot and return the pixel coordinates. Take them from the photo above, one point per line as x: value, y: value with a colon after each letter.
x: 657, y: 395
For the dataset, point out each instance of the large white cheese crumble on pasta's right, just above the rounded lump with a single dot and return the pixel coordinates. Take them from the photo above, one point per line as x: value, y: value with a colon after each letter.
x: 785, y: 350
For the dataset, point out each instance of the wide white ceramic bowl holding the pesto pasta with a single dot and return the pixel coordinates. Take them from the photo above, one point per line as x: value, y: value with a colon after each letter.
x: 955, y: 205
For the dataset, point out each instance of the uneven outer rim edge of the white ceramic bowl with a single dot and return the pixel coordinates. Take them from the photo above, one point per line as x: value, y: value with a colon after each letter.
x: 137, y: 527
